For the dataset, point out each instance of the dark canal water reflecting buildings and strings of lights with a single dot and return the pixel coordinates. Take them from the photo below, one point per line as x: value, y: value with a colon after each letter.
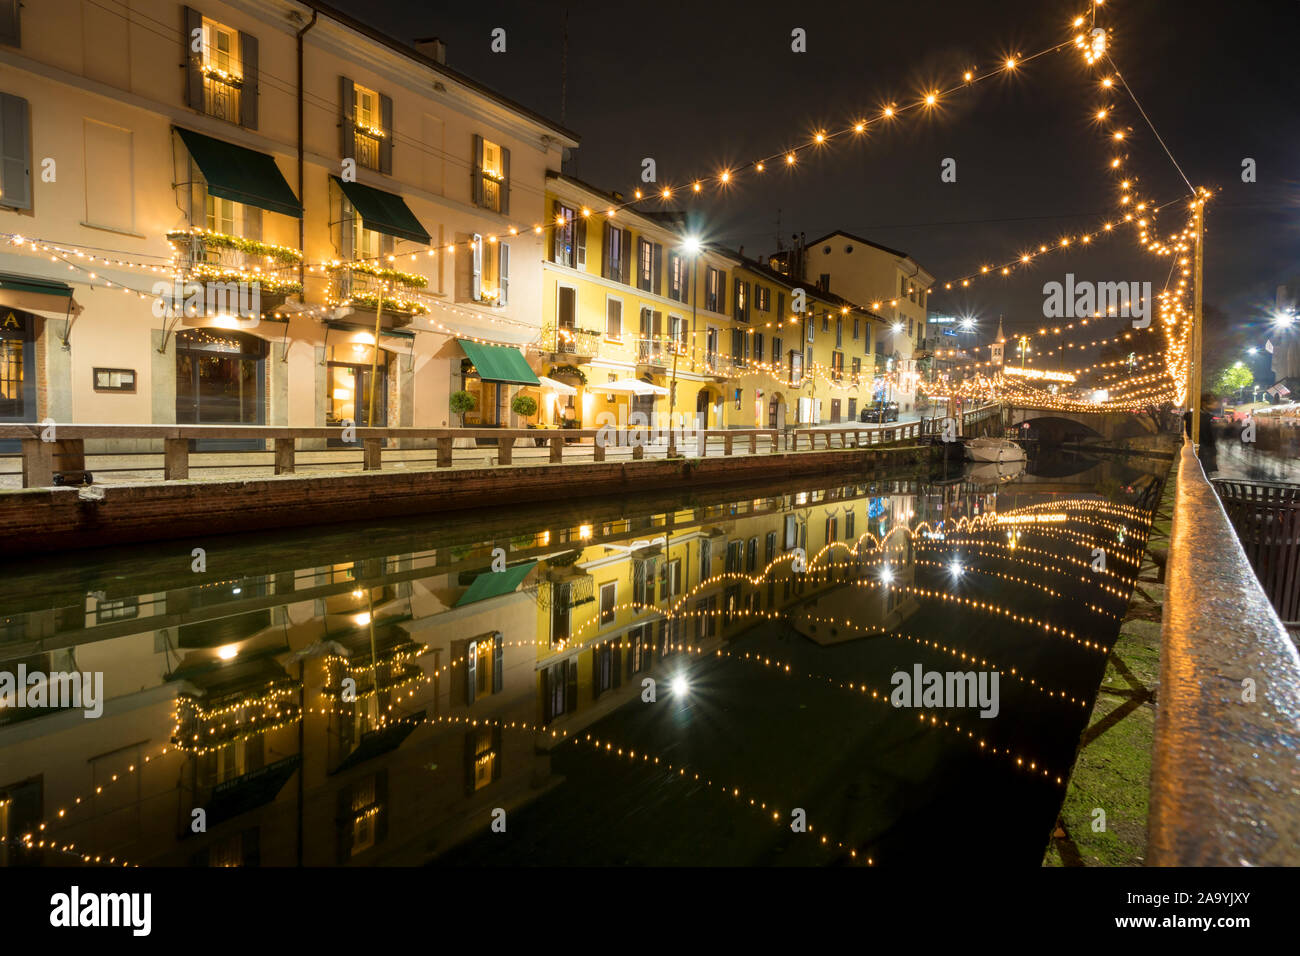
x: 382, y: 695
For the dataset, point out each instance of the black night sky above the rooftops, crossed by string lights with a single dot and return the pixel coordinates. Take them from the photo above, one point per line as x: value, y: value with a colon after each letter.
x: 701, y: 86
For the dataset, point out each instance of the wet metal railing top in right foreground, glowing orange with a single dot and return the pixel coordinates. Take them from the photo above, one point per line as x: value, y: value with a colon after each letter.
x: 1225, y: 775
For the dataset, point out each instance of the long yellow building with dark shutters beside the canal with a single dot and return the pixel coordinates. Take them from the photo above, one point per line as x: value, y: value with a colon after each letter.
x: 673, y: 326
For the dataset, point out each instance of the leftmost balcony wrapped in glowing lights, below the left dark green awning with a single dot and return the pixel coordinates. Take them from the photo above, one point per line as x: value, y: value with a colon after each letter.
x: 205, y: 257
